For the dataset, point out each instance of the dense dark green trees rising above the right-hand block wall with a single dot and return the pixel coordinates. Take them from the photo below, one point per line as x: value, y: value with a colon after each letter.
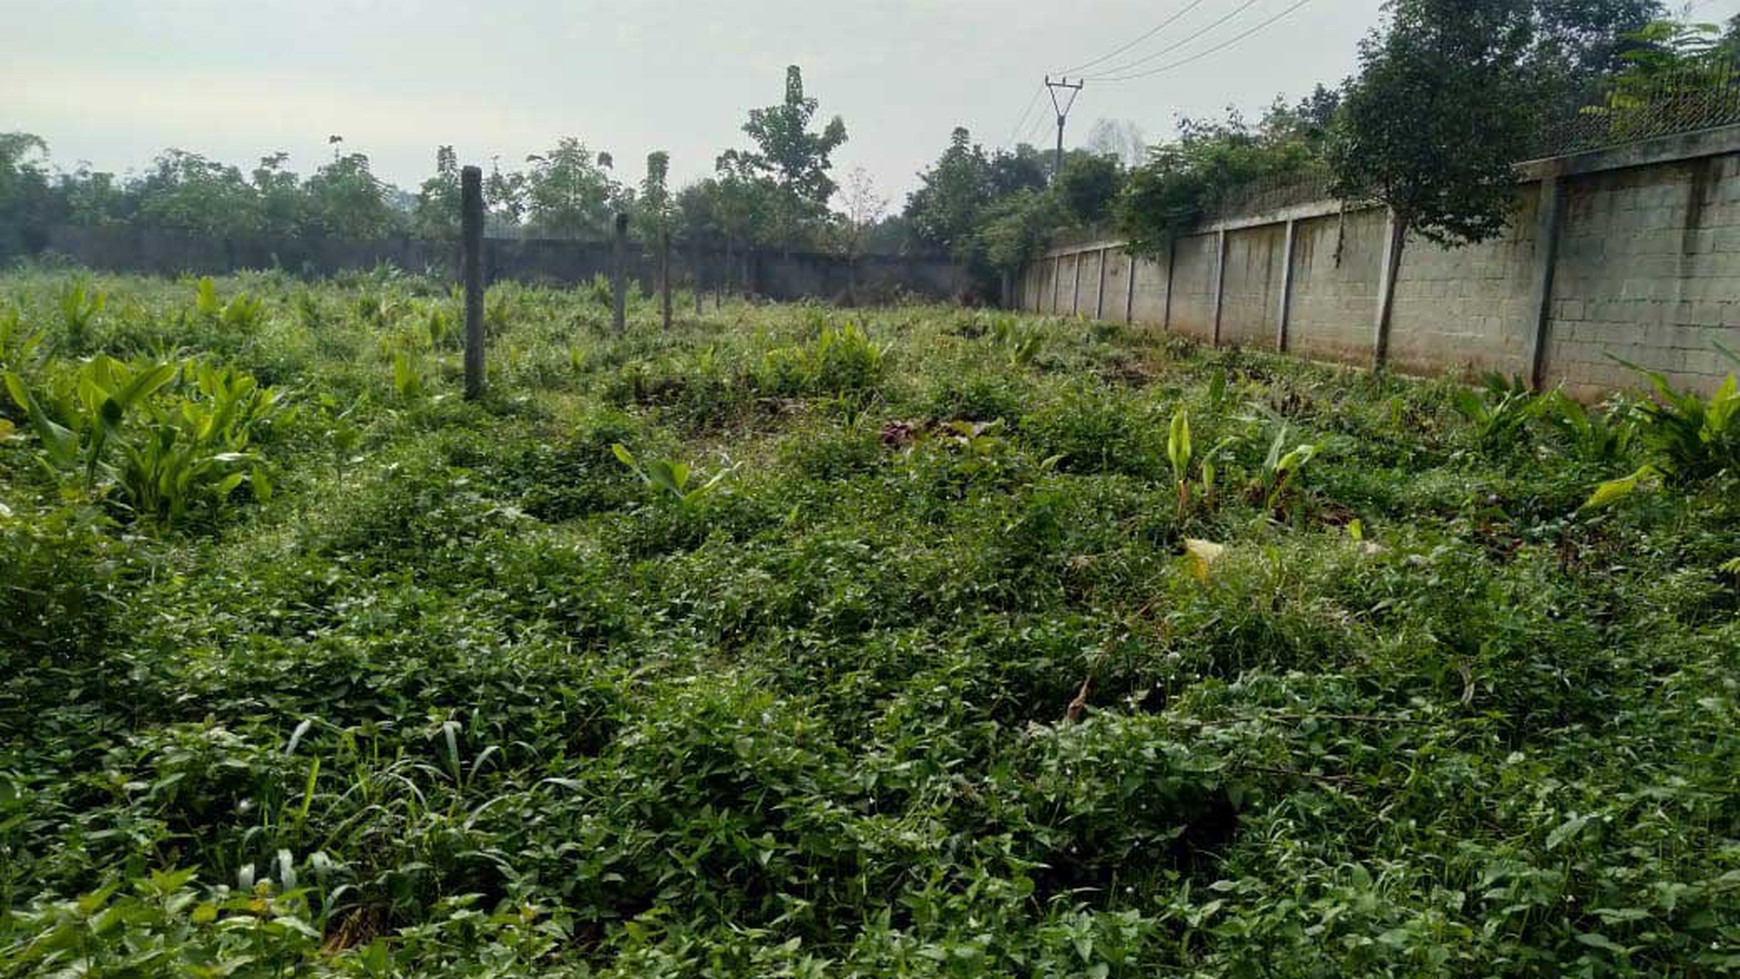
x: 1450, y: 95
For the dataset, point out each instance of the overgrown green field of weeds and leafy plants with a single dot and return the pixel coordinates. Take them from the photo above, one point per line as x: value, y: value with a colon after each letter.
x: 819, y: 643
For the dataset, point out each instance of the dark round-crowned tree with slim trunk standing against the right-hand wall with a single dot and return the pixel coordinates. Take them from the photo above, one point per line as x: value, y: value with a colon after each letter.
x: 1433, y: 128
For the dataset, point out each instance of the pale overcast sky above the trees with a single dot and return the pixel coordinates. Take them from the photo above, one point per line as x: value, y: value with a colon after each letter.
x: 112, y: 83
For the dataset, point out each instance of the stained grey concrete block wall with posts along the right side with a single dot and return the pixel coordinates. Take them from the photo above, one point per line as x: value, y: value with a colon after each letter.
x: 1642, y: 262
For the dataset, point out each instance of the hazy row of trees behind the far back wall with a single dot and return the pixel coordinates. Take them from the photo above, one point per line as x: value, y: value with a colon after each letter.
x: 775, y: 194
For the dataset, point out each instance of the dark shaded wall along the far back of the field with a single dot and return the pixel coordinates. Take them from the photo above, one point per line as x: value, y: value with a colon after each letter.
x: 775, y: 276
